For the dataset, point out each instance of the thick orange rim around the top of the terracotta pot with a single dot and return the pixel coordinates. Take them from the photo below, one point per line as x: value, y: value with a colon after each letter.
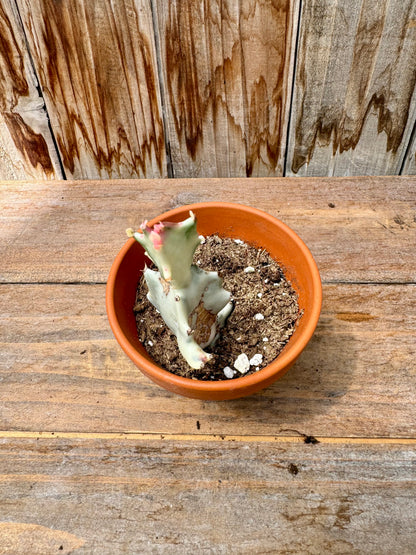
x: 280, y: 364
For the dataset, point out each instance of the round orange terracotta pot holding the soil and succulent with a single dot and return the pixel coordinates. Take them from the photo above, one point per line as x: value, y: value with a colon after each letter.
x: 229, y: 220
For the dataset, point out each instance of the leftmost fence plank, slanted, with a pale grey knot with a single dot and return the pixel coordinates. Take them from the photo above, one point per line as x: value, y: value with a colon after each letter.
x: 26, y: 144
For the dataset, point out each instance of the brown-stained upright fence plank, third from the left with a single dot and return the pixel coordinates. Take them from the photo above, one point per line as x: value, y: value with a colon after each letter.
x: 227, y: 72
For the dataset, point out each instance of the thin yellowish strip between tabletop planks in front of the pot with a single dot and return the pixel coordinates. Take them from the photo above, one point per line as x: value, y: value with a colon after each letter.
x: 144, y: 436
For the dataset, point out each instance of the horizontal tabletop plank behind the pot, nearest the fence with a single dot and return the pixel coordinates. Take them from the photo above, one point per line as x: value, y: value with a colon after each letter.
x: 357, y: 229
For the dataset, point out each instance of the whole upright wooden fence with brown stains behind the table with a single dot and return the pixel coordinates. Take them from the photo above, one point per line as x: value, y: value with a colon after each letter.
x: 205, y: 88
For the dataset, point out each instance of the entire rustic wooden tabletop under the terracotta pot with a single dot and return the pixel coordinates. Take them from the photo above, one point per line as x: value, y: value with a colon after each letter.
x: 95, y: 458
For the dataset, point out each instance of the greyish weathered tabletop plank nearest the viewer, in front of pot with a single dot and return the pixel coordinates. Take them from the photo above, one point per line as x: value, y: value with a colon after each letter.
x: 87, y: 496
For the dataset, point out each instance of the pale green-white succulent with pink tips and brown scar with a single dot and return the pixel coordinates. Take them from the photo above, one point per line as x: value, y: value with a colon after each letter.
x: 191, y: 301
